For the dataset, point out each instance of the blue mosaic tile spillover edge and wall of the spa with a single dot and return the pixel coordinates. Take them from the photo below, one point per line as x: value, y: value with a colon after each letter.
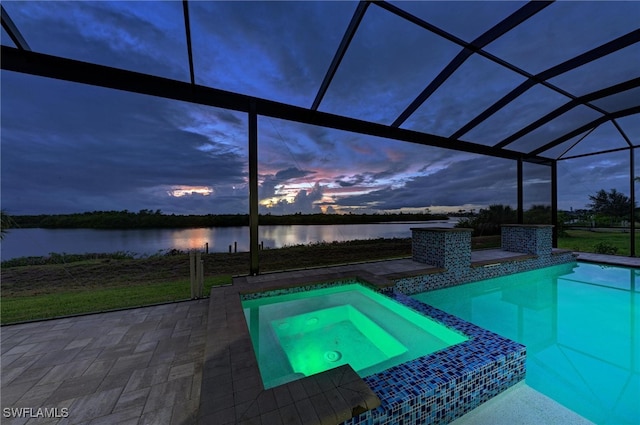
x: 438, y: 388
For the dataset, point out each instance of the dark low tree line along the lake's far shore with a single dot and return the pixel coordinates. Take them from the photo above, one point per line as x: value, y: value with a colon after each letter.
x: 148, y: 219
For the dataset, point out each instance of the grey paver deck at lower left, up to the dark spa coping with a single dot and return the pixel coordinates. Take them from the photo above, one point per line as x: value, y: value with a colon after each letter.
x: 138, y: 366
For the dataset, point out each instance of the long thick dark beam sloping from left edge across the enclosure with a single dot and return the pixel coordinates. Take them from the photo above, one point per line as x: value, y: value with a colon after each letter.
x: 103, y: 76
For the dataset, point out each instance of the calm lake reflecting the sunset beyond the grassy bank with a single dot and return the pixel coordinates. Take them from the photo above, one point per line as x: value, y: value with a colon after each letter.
x: 39, y: 242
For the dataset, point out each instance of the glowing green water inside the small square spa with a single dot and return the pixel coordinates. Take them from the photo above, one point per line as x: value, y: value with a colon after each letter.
x: 301, y: 334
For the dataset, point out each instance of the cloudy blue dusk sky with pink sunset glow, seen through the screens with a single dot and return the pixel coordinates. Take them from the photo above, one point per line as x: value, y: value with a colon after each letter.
x: 68, y: 147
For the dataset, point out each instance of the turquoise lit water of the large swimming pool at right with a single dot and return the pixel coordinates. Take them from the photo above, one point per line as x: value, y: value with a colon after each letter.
x: 581, y: 327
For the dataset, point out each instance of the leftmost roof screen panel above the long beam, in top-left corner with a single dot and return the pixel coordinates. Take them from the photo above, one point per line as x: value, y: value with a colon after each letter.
x: 147, y: 37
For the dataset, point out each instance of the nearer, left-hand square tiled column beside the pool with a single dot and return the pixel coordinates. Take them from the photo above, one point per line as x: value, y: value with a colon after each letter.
x: 442, y: 247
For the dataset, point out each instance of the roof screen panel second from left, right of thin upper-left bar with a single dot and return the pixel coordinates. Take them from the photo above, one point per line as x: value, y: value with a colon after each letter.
x: 273, y: 50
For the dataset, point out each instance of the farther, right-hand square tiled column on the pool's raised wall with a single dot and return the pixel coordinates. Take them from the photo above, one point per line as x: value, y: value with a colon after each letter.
x: 533, y: 239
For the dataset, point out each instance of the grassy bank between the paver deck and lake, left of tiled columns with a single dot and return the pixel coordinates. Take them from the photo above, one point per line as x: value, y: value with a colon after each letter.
x: 66, y: 285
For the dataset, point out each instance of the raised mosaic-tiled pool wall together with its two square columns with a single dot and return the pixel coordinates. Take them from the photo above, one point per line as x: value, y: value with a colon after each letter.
x: 529, y: 240
